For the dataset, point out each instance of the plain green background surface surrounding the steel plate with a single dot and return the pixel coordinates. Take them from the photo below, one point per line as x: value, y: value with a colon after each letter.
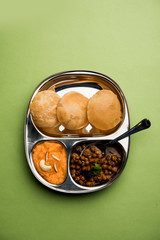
x: 118, y: 38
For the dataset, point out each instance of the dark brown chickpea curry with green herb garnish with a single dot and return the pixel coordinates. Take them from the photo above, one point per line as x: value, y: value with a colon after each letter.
x: 92, y: 167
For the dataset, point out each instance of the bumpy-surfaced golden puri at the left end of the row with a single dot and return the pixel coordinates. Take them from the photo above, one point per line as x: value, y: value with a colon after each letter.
x: 44, y: 109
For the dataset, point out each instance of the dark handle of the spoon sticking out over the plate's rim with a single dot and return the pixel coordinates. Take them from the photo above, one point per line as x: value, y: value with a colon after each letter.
x: 144, y: 124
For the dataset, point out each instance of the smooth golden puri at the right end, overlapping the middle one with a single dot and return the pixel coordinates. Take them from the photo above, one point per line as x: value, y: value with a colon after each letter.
x: 104, y: 110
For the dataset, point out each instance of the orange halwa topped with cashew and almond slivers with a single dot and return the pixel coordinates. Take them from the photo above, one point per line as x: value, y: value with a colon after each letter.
x: 50, y: 161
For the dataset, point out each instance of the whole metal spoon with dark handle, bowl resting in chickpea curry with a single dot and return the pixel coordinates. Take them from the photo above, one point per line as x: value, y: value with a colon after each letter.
x: 144, y: 124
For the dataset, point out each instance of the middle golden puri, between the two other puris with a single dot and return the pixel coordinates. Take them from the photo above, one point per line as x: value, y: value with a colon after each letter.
x: 72, y: 111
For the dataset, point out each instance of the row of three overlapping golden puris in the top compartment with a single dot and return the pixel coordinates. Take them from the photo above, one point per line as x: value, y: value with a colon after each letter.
x: 74, y: 112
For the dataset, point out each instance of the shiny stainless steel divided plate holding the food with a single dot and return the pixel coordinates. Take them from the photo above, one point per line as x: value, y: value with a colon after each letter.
x: 87, y: 83
